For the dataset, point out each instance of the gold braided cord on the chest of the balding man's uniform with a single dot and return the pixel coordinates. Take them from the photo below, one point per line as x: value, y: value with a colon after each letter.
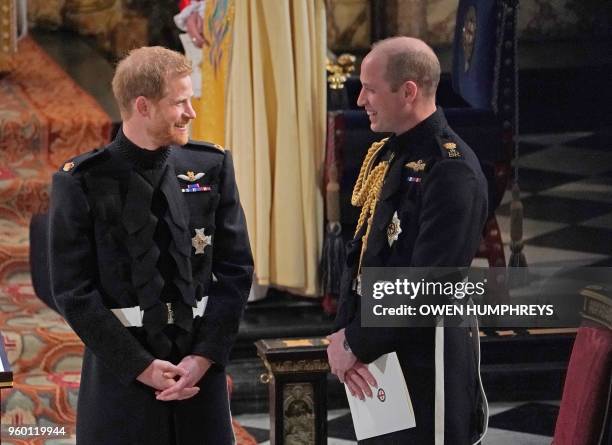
x: 367, y: 191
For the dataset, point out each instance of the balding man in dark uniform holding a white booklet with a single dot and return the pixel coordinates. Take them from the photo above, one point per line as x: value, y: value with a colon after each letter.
x: 424, y: 204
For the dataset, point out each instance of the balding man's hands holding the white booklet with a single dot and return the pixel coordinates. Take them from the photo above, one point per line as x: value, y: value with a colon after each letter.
x: 344, y: 364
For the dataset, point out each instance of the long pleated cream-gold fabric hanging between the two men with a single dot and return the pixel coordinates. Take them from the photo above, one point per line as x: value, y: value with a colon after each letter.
x: 276, y: 130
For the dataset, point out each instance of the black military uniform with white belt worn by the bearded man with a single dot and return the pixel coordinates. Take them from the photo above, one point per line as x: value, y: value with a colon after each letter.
x: 150, y: 258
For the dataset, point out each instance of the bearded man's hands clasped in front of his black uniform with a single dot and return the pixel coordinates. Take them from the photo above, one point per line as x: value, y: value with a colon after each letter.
x: 175, y: 382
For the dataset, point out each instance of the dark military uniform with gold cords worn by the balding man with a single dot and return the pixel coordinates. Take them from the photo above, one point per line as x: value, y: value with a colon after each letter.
x: 424, y: 204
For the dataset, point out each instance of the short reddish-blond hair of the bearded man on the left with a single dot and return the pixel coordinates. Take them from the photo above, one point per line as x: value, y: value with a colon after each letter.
x: 144, y: 72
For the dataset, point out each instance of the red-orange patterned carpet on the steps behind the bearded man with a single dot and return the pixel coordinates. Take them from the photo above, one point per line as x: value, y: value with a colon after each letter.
x: 45, y: 118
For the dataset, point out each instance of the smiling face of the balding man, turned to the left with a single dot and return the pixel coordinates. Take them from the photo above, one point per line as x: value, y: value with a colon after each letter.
x: 386, y: 108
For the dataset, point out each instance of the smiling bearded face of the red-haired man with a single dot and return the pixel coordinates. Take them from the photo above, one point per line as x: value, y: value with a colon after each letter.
x: 170, y: 116
